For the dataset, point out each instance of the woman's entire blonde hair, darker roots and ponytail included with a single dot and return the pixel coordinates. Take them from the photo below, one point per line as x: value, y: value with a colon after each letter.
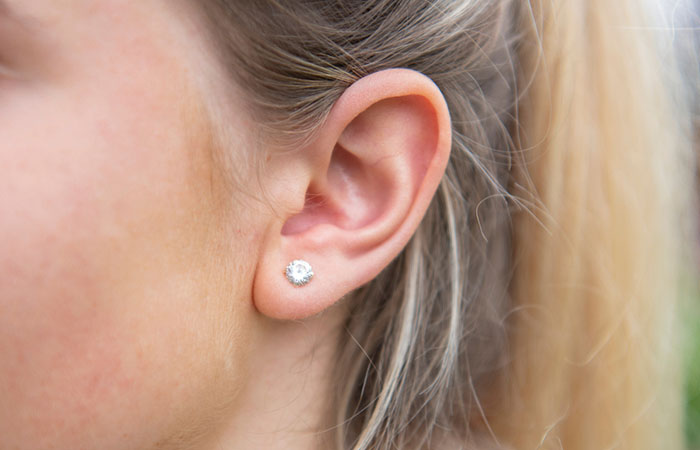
x: 535, y: 305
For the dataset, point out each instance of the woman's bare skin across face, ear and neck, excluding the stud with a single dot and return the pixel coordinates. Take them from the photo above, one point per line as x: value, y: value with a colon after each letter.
x: 141, y: 299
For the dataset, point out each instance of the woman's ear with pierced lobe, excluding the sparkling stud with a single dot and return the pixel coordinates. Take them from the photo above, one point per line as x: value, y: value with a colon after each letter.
x: 355, y: 194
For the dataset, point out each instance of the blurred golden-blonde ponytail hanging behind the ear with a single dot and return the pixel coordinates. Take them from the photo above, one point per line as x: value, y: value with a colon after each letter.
x: 607, y: 155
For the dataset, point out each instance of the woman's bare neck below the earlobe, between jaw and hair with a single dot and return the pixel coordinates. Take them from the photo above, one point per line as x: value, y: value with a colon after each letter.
x: 284, y: 404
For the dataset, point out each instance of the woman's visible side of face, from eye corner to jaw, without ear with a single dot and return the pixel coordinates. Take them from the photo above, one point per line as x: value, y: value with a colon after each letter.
x: 114, y: 333
